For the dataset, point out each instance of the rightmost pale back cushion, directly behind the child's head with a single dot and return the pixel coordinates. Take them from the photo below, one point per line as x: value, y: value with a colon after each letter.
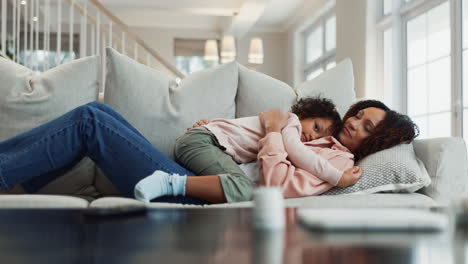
x: 336, y: 84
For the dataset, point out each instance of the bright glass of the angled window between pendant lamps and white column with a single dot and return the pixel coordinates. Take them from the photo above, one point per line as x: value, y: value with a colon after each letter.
x: 320, y: 46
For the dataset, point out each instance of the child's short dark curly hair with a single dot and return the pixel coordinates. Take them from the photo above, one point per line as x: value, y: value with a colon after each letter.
x: 317, y: 107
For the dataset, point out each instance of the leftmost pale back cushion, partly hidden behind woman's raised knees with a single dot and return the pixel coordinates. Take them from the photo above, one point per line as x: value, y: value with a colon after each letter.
x: 28, y: 100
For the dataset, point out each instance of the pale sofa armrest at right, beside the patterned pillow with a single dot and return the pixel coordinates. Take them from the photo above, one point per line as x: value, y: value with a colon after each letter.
x: 447, y: 164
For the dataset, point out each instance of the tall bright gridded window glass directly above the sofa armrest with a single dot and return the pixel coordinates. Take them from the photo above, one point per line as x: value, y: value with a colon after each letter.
x: 429, y: 71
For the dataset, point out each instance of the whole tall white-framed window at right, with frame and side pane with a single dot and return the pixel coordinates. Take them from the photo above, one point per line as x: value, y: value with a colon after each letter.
x: 419, y: 42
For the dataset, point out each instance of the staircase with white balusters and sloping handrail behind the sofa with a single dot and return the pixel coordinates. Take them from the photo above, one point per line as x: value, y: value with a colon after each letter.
x: 42, y: 34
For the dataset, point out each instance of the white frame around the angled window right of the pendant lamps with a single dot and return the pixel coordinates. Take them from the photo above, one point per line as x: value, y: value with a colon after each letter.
x: 327, y: 57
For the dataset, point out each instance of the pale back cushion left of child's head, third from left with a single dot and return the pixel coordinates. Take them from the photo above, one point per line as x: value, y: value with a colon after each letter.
x: 258, y: 92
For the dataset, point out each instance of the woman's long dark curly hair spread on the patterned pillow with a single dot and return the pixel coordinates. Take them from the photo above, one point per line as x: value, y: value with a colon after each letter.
x: 394, y: 129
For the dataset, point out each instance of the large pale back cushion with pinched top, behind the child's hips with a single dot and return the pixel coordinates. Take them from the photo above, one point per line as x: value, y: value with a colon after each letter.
x: 162, y: 110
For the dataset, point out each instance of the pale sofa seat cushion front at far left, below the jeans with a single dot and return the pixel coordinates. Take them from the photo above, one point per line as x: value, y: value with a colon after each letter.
x: 37, y: 201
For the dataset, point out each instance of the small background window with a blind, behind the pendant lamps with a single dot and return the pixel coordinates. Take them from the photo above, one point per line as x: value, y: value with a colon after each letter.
x: 189, y: 55
